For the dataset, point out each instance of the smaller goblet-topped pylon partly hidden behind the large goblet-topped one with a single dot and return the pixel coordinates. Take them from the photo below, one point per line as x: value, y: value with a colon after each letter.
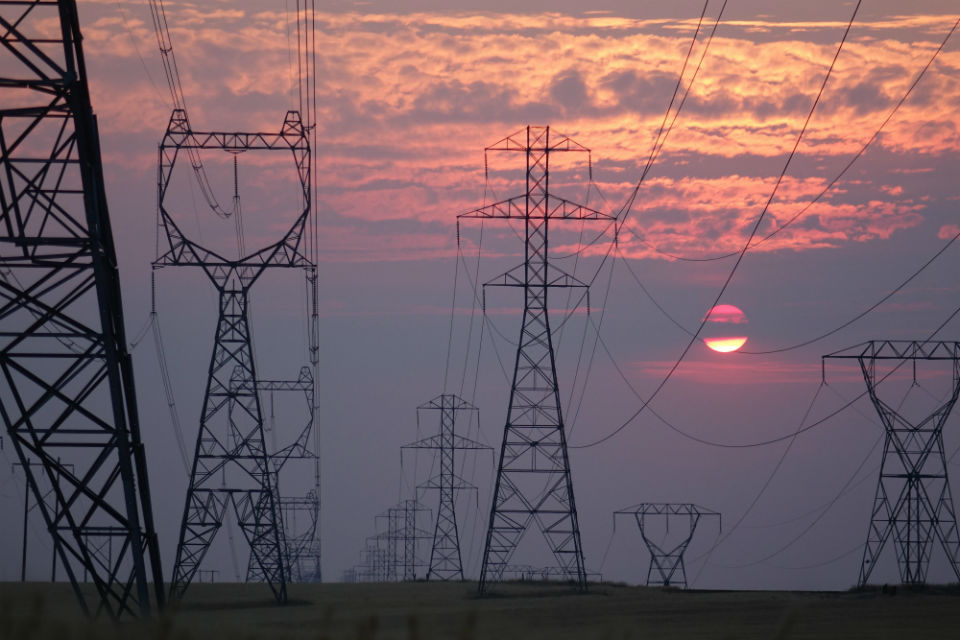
x: 300, y: 515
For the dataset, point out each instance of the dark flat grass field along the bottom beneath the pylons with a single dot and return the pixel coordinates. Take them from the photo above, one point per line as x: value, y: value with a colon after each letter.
x: 413, y: 611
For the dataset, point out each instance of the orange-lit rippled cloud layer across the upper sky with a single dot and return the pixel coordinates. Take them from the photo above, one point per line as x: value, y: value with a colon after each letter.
x: 407, y: 101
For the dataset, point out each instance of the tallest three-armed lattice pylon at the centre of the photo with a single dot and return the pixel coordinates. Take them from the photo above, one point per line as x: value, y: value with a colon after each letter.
x: 533, y: 476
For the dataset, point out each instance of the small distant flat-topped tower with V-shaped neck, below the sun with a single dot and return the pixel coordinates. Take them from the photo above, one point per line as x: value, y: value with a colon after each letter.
x: 666, y: 563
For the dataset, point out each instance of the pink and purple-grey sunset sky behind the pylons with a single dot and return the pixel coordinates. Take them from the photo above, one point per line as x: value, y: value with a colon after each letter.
x: 409, y: 93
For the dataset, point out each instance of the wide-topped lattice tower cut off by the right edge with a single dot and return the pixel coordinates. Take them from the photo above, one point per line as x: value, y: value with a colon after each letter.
x: 913, y: 502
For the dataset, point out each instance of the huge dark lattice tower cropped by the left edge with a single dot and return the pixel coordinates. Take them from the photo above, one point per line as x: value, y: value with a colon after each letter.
x: 67, y: 387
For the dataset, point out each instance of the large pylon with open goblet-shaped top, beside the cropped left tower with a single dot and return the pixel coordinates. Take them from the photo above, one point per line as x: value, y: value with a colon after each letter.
x: 231, y: 463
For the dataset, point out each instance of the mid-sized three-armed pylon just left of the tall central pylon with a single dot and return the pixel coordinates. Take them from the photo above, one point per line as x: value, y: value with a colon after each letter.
x: 446, y: 562
